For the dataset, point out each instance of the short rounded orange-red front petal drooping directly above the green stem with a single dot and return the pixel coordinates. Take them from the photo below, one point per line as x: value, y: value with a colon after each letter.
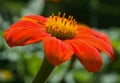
x: 56, y: 51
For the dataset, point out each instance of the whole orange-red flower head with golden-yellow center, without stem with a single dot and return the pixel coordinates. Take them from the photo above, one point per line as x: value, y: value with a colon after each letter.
x: 62, y: 38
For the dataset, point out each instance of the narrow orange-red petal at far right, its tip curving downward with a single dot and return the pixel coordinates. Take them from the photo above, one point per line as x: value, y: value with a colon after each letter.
x: 98, y: 43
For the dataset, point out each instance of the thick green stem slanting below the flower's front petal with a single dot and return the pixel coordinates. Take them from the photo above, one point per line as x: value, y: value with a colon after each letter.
x: 44, y: 72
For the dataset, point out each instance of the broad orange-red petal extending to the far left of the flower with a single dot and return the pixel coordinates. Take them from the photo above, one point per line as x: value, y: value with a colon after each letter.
x: 24, y: 32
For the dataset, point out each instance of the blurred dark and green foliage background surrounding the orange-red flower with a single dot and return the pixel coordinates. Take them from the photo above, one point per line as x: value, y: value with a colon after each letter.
x: 20, y: 64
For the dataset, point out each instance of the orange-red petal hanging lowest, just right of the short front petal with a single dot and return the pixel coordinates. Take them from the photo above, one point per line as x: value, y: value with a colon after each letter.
x: 87, y: 55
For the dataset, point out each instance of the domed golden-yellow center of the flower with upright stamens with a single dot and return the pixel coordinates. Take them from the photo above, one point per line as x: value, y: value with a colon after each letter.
x: 60, y: 27
